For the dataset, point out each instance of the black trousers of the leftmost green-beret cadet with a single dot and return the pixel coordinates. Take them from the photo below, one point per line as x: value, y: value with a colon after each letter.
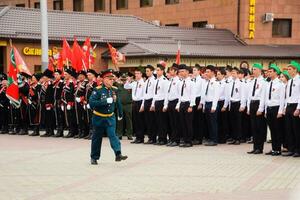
x: 257, y: 126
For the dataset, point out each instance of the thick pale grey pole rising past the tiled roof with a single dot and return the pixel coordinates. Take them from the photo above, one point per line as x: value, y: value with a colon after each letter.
x: 44, y: 34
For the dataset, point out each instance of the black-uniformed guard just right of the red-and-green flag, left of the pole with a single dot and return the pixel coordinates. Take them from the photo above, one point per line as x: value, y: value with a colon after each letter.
x: 34, y: 104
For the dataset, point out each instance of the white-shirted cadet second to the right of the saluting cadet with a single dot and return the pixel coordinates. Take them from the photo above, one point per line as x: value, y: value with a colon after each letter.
x: 160, y: 101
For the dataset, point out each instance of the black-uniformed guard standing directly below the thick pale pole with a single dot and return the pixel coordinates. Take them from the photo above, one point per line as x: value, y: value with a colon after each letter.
x: 48, y: 107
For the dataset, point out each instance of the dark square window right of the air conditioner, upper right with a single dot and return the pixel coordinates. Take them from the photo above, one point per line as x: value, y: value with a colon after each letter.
x: 282, y: 28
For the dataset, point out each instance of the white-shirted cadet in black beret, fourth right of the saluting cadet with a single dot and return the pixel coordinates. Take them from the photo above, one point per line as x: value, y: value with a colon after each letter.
x: 185, y: 106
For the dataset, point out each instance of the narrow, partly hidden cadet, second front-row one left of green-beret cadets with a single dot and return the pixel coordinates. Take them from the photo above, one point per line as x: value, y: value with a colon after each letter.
x: 222, y: 113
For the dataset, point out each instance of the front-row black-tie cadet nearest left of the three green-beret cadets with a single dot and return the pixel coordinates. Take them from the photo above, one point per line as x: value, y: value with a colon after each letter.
x: 236, y: 100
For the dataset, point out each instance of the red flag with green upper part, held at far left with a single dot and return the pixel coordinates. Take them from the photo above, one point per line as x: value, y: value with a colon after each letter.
x: 12, y: 91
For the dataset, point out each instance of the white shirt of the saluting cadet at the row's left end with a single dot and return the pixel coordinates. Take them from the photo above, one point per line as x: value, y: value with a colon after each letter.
x: 137, y: 88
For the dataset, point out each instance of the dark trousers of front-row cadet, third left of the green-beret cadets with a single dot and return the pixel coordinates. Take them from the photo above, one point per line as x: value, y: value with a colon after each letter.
x: 212, y: 122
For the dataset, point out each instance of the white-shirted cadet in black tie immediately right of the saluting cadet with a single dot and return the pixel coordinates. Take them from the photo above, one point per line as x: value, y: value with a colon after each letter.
x: 146, y: 105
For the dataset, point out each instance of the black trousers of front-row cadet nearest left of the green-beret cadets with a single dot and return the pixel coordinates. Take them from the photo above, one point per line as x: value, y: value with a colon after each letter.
x: 235, y: 120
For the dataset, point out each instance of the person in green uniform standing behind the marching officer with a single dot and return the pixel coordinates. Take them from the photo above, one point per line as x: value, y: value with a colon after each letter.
x: 126, y: 100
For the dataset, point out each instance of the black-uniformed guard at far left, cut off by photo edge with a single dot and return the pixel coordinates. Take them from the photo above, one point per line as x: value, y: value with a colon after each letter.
x: 4, y: 104
